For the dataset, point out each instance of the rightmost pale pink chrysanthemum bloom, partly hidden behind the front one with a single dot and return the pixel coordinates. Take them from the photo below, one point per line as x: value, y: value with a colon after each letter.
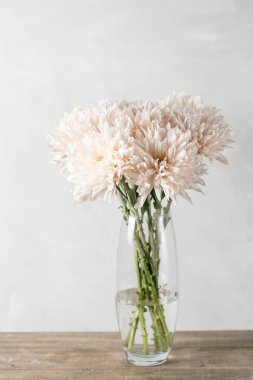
x: 207, y: 126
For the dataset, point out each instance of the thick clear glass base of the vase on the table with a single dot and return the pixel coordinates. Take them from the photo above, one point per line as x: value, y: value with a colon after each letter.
x: 147, y: 360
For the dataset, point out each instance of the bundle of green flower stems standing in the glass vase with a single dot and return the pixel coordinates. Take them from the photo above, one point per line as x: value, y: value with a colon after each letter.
x: 146, y: 251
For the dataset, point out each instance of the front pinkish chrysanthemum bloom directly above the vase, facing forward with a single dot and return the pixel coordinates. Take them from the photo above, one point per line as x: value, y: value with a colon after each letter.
x: 165, y: 160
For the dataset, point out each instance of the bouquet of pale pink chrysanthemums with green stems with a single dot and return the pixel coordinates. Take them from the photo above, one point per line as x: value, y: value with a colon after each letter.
x: 147, y: 153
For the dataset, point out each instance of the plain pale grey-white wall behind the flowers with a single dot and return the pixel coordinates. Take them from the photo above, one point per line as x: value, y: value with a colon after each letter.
x: 57, y: 260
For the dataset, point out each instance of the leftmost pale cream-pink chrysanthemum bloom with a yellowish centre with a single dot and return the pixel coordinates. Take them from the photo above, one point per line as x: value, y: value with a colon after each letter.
x: 94, y: 145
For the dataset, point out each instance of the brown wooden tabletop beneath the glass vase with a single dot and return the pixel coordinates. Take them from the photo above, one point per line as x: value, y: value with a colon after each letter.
x: 223, y: 355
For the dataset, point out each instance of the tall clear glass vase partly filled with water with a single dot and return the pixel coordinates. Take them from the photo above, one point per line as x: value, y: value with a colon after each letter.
x: 147, y: 288
